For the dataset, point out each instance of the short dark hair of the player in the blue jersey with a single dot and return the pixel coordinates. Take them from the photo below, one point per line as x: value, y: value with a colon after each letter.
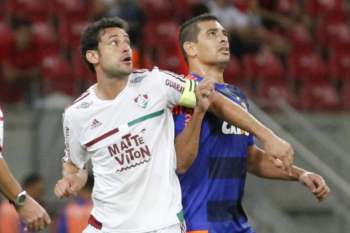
x: 189, y: 30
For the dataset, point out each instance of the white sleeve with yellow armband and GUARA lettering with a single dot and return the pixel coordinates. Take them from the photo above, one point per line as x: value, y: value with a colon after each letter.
x: 178, y: 91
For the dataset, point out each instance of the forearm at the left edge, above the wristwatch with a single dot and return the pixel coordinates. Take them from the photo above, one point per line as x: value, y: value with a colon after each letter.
x: 8, y: 184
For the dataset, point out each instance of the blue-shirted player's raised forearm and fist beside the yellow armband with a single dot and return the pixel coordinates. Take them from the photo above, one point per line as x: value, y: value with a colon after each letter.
x: 186, y: 143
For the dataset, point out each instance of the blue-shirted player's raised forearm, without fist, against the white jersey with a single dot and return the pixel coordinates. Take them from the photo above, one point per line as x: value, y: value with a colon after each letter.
x: 186, y: 143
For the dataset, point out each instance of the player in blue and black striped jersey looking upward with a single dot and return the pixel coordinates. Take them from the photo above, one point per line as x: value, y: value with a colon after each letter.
x: 213, y: 186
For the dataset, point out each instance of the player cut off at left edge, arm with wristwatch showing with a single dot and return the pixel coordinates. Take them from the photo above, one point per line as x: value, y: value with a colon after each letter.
x: 33, y: 215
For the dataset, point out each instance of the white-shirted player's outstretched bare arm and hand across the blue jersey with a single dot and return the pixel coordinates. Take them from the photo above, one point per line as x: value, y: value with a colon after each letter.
x: 234, y: 114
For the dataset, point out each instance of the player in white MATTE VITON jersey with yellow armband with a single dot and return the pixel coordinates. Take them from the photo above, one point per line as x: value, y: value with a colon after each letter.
x: 124, y: 124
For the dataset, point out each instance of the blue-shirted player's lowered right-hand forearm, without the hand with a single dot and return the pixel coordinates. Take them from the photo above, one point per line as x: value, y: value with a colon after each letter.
x: 260, y: 165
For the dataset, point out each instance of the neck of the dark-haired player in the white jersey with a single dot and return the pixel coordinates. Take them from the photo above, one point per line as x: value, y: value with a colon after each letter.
x: 109, y: 88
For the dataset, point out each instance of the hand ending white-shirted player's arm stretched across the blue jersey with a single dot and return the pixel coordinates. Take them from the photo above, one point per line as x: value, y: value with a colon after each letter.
x: 280, y: 152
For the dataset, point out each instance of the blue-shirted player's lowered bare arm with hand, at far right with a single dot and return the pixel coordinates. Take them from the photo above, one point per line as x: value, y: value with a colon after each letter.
x: 260, y: 165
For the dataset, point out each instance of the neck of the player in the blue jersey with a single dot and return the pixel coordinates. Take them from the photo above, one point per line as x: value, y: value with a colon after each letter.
x: 215, y: 73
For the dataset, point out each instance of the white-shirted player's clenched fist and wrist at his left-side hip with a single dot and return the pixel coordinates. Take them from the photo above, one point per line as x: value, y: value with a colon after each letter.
x: 73, y: 179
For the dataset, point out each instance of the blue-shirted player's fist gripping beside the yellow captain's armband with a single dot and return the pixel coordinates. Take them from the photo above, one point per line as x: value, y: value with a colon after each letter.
x: 204, y: 94
